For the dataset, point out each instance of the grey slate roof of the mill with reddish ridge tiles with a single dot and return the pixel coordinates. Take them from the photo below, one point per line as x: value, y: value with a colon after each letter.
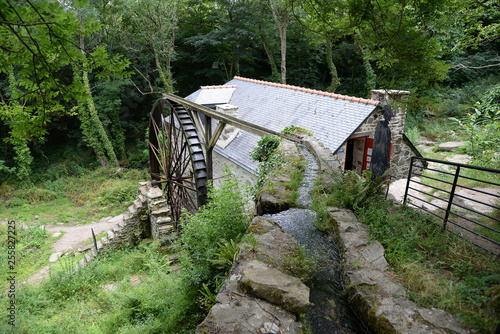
x: 332, y: 118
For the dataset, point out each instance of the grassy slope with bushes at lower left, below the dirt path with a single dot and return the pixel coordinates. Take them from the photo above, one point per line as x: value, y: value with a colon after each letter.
x: 136, y: 289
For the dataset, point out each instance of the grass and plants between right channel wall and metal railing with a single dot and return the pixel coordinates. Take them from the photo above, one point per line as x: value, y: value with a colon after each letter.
x: 437, y: 268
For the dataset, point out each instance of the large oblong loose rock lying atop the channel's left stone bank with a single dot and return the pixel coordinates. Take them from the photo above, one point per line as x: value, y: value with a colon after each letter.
x: 274, y: 286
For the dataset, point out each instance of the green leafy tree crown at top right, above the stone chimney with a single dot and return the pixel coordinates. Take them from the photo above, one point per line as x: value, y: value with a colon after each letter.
x: 396, y: 35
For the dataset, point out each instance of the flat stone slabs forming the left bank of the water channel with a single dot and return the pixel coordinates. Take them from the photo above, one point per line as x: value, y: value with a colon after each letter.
x: 244, y: 305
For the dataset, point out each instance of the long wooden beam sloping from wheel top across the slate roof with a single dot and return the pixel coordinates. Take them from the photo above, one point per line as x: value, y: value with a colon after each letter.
x: 241, y: 124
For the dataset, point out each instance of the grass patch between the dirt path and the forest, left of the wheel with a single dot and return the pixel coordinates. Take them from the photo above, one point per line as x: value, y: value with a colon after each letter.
x: 72, y: 199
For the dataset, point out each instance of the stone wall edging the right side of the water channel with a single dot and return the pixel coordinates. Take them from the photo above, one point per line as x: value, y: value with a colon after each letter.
x: 383, y: 303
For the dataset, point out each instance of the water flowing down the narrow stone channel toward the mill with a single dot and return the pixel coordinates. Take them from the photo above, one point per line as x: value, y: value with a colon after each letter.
x: 330, y: 311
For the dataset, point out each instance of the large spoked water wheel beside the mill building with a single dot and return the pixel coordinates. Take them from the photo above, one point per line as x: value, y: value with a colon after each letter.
x: 177, y: 161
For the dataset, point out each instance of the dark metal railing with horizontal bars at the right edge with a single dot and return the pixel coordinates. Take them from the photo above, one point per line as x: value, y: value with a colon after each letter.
x: 465, y: 198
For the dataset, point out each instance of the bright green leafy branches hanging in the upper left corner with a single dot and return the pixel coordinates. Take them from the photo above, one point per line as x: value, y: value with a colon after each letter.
x: 38, y: 52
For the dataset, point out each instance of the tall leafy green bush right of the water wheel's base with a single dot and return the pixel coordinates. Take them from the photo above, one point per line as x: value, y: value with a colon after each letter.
x: 222, y: 218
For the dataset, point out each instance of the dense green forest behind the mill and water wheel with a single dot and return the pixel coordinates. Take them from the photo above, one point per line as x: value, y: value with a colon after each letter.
x: 78, y: 78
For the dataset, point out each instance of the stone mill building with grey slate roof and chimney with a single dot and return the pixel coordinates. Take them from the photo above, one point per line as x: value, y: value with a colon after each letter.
x: 345, y: 125
